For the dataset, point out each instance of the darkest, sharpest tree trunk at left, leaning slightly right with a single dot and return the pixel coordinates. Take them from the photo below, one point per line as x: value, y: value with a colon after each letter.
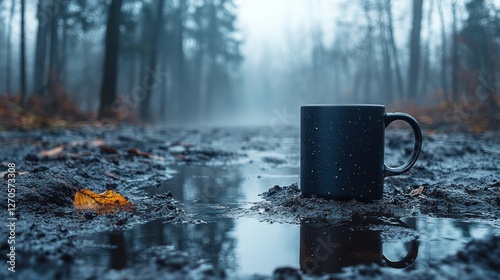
x: 108, y: 87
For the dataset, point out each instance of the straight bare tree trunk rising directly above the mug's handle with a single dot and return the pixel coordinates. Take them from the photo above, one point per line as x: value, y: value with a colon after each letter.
x: 415, y: 49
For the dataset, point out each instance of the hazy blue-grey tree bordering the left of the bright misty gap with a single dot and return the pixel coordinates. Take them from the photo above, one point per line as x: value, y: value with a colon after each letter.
x: 216, y: 51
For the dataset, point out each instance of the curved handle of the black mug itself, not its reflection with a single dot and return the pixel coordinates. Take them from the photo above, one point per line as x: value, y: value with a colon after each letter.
x: 417, y: 133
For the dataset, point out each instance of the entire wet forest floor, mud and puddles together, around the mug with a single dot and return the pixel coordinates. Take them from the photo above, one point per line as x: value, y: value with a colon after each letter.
x: 203, y: 199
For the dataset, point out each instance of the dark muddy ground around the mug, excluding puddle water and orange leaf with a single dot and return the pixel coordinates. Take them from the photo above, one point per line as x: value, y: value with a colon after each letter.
x: 457, y: 176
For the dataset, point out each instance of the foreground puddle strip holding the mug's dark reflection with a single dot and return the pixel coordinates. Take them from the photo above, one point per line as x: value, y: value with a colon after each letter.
x: 246, y: 246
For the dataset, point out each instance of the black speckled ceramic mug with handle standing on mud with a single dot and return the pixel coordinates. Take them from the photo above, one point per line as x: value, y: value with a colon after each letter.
x: 342, y: 150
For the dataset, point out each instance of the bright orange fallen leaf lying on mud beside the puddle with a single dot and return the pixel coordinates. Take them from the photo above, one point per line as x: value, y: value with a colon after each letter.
x: 108, y: 202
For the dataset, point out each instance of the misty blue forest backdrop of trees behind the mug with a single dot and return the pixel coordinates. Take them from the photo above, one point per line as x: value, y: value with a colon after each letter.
x: 181, y: 62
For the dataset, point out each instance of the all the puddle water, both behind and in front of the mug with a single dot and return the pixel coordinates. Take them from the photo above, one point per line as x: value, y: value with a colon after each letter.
x: 245, y: 246
